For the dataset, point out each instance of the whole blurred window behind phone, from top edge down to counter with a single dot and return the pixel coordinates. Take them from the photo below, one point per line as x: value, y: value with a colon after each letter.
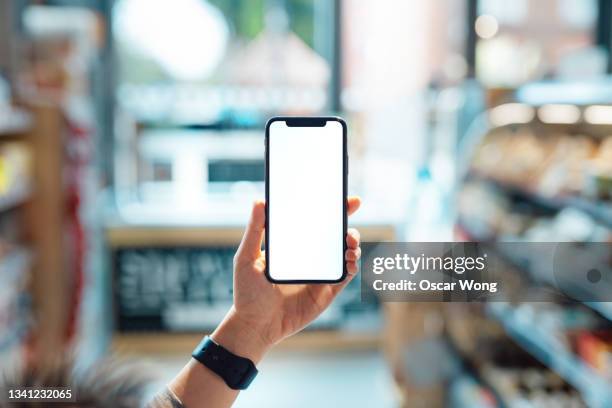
x: 191, y: 71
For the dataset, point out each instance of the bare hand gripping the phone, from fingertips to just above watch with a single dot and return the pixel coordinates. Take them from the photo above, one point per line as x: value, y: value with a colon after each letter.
x: 266, y: 312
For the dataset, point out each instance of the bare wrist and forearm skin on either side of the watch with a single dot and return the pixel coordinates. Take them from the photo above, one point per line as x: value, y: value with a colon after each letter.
x: 197, y: 386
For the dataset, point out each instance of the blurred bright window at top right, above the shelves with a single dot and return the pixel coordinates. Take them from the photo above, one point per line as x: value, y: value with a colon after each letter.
x: 523, y: 40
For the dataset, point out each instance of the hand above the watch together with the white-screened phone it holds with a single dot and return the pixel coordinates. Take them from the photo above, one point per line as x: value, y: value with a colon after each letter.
x: 305, y: 224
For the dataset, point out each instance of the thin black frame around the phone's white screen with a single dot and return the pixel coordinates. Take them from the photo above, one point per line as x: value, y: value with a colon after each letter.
x: 308, y: 121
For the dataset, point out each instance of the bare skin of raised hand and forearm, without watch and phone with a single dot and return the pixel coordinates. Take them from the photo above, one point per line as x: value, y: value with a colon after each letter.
x: 263, y: 313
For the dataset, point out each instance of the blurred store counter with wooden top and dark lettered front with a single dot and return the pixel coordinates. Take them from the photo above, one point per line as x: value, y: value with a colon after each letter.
x: 172, y: 277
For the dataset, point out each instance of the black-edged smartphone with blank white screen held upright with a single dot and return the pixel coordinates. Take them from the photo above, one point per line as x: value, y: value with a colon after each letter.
x: 306, y: 199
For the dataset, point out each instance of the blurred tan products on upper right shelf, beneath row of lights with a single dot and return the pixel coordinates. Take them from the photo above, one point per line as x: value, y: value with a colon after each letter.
x: 546, y: 162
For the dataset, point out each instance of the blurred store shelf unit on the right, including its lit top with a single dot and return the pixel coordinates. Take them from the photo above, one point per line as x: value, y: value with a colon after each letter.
x: 539, y: 173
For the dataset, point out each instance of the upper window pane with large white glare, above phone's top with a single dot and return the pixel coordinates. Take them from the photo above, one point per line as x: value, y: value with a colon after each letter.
x: 198, y: 61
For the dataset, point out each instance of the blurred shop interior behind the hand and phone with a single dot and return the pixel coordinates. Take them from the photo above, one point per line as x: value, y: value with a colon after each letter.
x: 131, y: 149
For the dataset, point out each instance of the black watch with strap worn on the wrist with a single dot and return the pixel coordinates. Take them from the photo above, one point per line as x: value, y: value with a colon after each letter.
x: 237, y: 372
